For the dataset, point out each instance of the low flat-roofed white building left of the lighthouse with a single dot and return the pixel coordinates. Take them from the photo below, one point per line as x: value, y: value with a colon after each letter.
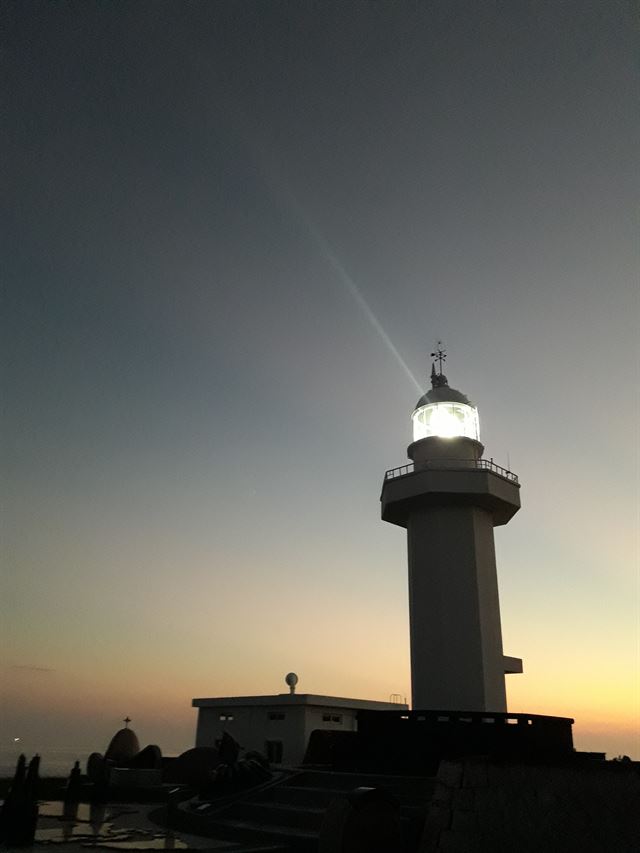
x: 279, y: 726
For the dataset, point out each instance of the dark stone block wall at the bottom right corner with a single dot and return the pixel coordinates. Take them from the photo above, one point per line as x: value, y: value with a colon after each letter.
x: 479, y: 807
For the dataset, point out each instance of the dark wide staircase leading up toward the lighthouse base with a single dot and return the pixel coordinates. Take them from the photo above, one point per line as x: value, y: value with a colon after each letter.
x: 289, y: 813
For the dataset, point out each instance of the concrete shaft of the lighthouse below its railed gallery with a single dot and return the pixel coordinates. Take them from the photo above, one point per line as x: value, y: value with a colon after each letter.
x: 456, y: 639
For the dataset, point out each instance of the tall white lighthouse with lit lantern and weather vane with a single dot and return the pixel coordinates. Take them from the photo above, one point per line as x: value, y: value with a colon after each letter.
x: 449, y: 500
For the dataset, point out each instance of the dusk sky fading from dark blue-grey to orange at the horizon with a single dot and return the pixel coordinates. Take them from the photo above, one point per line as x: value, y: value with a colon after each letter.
x: 232, y: 234
